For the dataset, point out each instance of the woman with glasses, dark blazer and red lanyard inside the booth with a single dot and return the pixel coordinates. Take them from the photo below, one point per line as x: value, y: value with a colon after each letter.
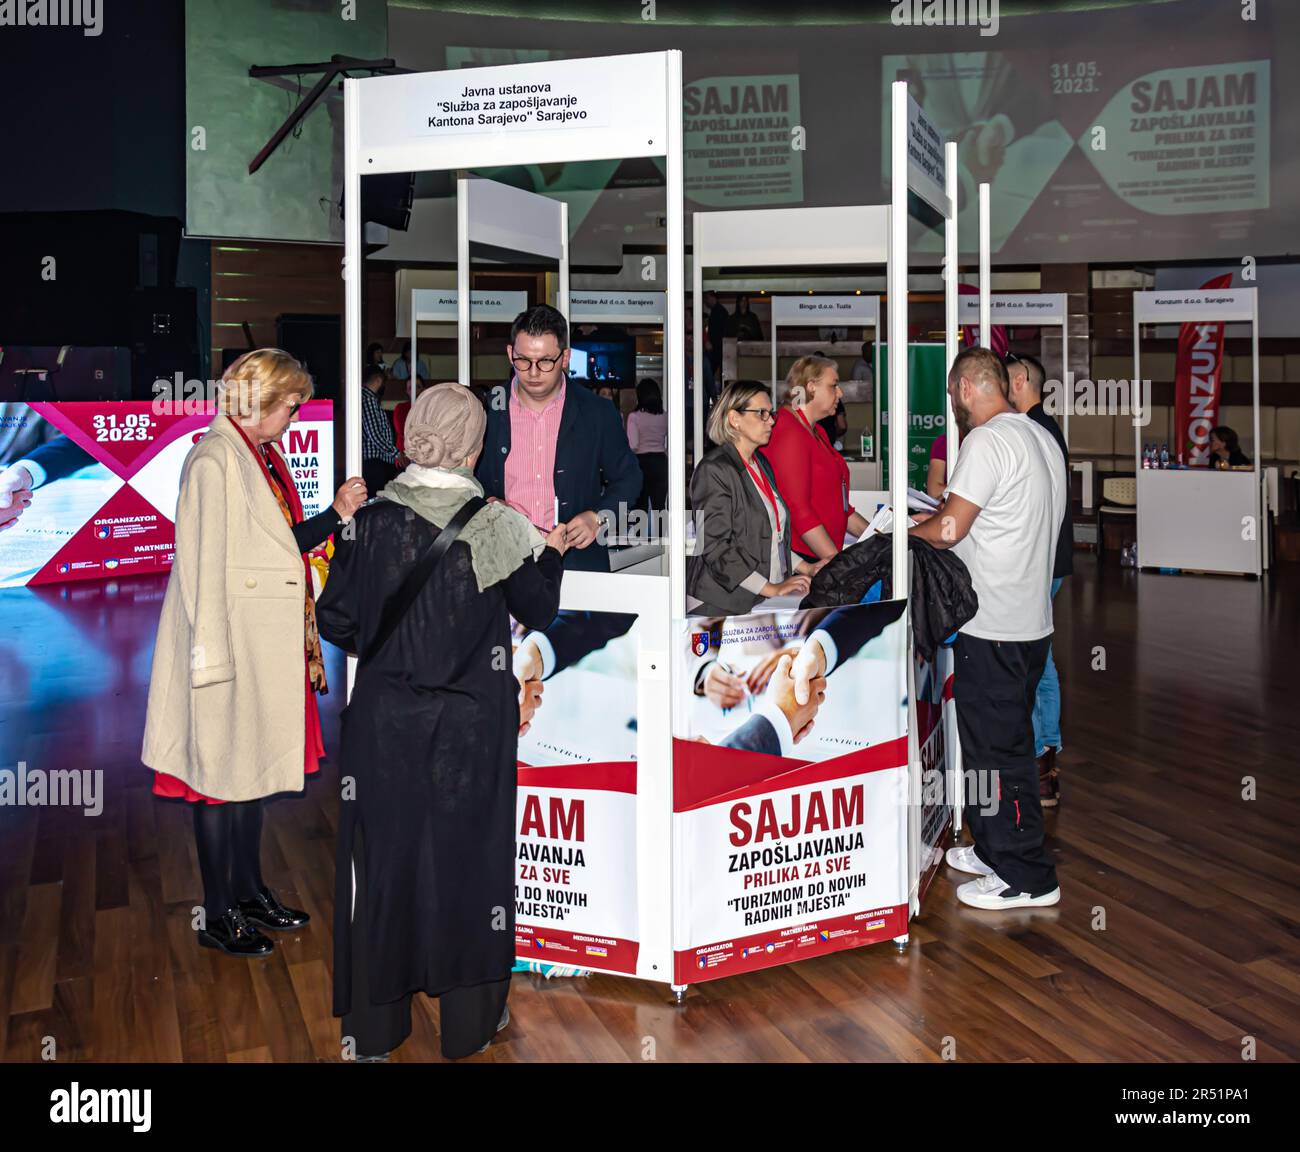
x: 743, y: 527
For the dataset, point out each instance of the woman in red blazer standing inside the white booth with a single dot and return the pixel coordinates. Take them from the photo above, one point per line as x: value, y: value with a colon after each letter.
x: 812, y: 475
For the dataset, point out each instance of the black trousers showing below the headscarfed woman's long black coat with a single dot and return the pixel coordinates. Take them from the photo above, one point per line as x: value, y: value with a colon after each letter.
x: 469, y: 1016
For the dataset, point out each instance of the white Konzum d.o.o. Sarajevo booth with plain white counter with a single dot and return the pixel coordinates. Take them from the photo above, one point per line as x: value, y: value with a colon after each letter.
x: 1193, y: 518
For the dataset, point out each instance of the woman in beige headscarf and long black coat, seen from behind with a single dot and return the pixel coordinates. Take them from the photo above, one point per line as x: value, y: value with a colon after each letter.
x: 430, y: 742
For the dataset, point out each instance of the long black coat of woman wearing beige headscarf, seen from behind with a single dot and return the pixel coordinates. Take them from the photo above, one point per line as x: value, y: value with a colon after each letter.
x: 430, y: 740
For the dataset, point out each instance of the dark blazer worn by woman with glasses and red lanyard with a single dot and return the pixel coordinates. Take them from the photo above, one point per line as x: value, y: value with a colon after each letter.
x: 734, y: 534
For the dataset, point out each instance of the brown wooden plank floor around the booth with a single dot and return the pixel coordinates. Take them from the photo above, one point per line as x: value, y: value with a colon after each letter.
x: 1198, y: 886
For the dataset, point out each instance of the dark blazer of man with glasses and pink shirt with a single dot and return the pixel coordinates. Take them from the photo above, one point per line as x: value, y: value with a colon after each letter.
x: 595, y: 467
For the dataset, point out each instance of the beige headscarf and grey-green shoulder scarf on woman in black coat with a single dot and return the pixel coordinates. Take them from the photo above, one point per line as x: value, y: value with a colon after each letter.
x: 445, y: 428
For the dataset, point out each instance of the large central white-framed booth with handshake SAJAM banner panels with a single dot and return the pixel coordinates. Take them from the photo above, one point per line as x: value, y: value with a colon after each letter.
x: 661, y: 835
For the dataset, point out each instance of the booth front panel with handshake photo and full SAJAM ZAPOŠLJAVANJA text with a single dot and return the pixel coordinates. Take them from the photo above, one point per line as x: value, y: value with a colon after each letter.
x: 790, y: 820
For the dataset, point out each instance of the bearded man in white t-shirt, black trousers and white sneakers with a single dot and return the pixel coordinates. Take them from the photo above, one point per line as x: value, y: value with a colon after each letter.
x: 1002, y: 514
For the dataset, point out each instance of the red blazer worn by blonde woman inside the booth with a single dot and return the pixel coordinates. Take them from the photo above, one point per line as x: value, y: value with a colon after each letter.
x: 813, y: 479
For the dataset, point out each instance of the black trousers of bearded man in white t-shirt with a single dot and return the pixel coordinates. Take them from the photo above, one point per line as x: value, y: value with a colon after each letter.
x: 994, y: 687
